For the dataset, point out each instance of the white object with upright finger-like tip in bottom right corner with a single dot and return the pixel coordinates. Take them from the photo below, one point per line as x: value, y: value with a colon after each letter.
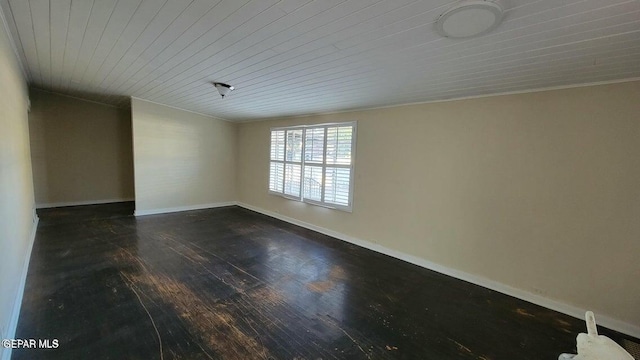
x: 592, y: 346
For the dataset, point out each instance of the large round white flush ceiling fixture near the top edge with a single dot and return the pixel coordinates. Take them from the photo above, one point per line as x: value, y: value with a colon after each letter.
x: 469, y: 18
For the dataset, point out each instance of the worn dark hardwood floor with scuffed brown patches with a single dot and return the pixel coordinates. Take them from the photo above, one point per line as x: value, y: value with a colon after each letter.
x: 229, y: 283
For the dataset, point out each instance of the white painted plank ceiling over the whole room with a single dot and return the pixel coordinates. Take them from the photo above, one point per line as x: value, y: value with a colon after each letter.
x: 293, y: 57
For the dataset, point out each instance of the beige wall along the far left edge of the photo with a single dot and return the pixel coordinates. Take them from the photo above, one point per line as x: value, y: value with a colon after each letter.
x: 16, y: 187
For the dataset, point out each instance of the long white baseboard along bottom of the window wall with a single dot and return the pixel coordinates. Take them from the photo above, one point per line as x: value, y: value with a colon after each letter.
x: 571, y: 310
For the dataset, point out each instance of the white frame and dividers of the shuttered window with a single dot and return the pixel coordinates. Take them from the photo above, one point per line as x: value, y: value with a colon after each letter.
x: 348, y: 208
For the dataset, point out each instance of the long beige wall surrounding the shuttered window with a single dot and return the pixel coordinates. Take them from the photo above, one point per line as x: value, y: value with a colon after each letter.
x: 538, y: 191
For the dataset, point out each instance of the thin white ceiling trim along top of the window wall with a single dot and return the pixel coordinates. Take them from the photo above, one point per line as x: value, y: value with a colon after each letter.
x: 506, y: 93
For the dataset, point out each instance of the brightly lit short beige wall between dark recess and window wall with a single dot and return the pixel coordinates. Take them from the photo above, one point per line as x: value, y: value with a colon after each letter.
x: 182, y: 159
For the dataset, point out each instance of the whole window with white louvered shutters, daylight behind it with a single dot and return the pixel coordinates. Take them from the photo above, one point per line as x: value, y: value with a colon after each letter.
x: 314, y: 164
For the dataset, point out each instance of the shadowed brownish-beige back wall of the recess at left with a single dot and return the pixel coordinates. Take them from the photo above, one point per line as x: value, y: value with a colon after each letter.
x: 81, y: 151
